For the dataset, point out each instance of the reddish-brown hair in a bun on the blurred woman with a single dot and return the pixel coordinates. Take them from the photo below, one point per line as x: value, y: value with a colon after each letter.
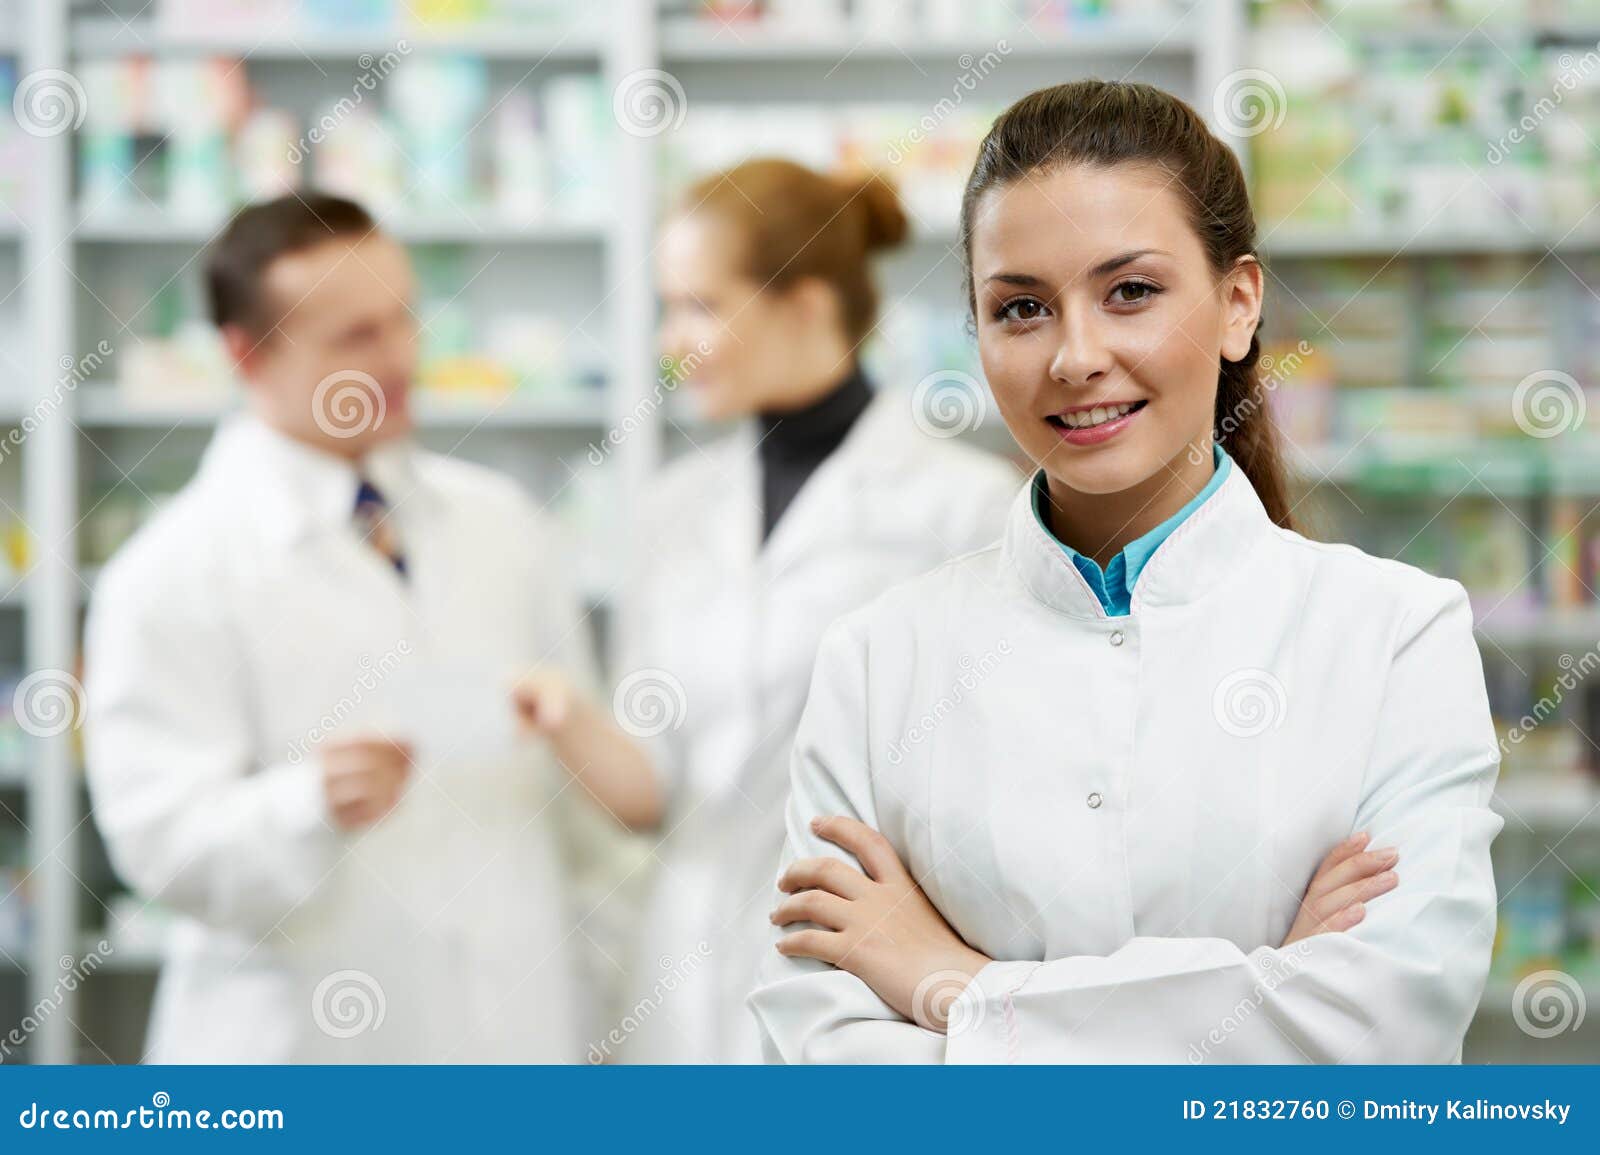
x: 798, y: 223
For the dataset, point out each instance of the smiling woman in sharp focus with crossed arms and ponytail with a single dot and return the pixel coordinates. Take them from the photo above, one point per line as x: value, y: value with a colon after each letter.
x: 1166, y: 826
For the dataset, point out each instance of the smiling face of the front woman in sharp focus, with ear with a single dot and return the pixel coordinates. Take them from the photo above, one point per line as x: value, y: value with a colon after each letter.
x: 1095, y: 297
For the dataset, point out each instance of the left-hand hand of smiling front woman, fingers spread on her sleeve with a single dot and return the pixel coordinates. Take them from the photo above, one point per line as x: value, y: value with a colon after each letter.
x: 878, y: 925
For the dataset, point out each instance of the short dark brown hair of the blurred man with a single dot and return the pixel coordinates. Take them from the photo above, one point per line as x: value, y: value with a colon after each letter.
x: 258, y: 236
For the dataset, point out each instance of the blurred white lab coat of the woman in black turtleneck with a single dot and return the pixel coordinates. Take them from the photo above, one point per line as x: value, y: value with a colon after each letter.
x: 737, y: 623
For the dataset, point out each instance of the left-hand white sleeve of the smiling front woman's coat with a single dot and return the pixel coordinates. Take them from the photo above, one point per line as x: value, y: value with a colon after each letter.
x: 809, y: 1012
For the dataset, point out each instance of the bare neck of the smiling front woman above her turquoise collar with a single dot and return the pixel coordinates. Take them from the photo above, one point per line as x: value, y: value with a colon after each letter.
x: 1100, y: 526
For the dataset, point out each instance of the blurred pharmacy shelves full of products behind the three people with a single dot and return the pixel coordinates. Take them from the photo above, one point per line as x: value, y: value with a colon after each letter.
x: 1426, y: 177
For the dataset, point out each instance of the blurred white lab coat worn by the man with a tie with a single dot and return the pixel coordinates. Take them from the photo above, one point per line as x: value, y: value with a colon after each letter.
x: 241, y: 631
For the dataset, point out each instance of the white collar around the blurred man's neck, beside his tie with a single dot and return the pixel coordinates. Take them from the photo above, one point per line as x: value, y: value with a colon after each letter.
x: 295, y: 490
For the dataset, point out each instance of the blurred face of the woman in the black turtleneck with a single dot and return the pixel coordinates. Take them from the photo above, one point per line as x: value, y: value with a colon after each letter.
x: 735, y: 338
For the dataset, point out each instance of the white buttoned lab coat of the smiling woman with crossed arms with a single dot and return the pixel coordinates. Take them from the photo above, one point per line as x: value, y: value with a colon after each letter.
x: 1124, y: 813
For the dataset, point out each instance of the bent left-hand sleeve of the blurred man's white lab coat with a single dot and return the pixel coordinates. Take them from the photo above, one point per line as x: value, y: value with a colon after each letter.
x: 190, y: 820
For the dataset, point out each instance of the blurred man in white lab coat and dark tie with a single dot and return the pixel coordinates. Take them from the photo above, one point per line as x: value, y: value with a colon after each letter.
x: 300, y: 735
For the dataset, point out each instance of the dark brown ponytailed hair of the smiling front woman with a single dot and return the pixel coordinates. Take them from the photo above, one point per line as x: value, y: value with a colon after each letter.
x: 1100, y: 122
